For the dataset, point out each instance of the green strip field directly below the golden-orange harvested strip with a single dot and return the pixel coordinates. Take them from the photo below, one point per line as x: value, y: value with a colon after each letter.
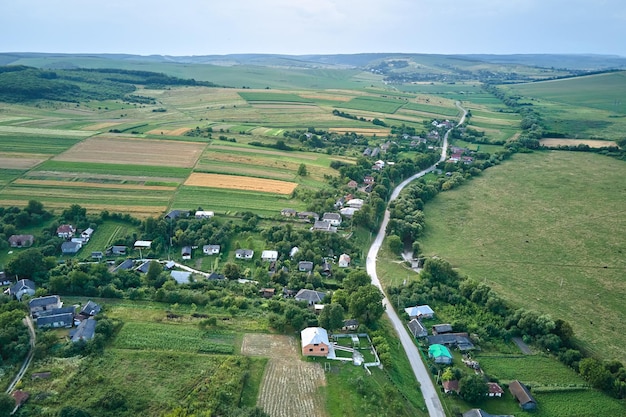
x: 227, y: 201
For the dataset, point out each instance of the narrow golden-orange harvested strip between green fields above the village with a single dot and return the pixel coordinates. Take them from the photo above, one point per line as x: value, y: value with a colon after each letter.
x: 236, y: 182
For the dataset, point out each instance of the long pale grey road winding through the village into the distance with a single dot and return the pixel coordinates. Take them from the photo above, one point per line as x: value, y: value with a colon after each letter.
x: 433, y: 403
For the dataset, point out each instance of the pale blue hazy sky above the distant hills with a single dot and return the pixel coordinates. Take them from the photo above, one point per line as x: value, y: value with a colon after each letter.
x: 301, y: 27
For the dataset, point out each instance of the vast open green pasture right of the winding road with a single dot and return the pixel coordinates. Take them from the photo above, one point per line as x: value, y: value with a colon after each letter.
x: 537, y: 231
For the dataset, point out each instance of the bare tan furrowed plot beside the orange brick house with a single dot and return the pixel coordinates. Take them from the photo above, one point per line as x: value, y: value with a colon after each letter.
x: 290, y: 386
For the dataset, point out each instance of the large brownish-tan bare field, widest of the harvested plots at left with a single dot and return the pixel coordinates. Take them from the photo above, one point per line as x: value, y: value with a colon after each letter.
x: 123, y: 150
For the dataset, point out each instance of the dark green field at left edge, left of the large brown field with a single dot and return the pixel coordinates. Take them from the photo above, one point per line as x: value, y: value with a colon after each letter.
x: 29, y: 143
